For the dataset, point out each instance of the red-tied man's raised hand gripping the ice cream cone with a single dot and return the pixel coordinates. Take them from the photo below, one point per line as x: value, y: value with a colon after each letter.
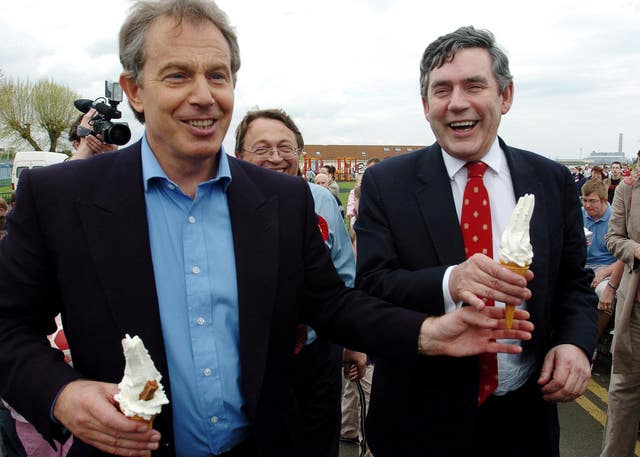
x: 481, y: 277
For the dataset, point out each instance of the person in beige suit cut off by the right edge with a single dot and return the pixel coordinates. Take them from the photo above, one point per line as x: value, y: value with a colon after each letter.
x: 623, y: 405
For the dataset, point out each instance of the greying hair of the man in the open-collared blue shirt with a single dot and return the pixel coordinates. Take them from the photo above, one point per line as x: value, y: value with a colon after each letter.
x: 133, y: 34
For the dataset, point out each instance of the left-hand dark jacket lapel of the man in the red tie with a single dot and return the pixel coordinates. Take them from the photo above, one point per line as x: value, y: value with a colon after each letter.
x: 435, y: 200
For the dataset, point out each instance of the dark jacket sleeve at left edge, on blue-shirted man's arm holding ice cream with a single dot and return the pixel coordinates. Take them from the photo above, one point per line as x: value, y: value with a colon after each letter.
x: 32, y: 372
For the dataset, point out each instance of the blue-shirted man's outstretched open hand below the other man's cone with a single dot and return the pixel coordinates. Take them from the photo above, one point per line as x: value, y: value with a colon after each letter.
x: 467, y: 331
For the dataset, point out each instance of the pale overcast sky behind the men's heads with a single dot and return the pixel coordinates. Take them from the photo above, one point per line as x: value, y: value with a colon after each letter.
x: 347, y: 70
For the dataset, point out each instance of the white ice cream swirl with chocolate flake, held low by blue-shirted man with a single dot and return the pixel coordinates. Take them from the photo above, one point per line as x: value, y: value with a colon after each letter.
x: 139, y: 369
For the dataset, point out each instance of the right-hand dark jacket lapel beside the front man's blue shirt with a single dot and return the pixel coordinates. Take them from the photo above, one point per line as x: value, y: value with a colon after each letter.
x: 256, y: 227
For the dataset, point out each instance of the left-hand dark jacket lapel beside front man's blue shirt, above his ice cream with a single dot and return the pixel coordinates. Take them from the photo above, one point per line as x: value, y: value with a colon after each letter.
x: 115, y: 224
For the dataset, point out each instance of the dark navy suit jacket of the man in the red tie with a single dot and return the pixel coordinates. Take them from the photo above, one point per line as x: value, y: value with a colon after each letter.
x: 408, y: 234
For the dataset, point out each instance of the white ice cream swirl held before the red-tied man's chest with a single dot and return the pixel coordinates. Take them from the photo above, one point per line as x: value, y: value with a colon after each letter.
x: 515, y: 246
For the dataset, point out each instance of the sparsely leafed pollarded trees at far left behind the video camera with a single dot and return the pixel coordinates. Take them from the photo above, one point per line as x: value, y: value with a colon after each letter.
x: 35, y: 113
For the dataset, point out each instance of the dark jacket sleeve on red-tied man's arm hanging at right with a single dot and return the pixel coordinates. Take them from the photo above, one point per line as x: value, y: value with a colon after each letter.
x: 574, y: 303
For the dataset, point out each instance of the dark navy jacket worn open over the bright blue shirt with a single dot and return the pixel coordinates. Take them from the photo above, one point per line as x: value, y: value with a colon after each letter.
x: 78, y: 244
